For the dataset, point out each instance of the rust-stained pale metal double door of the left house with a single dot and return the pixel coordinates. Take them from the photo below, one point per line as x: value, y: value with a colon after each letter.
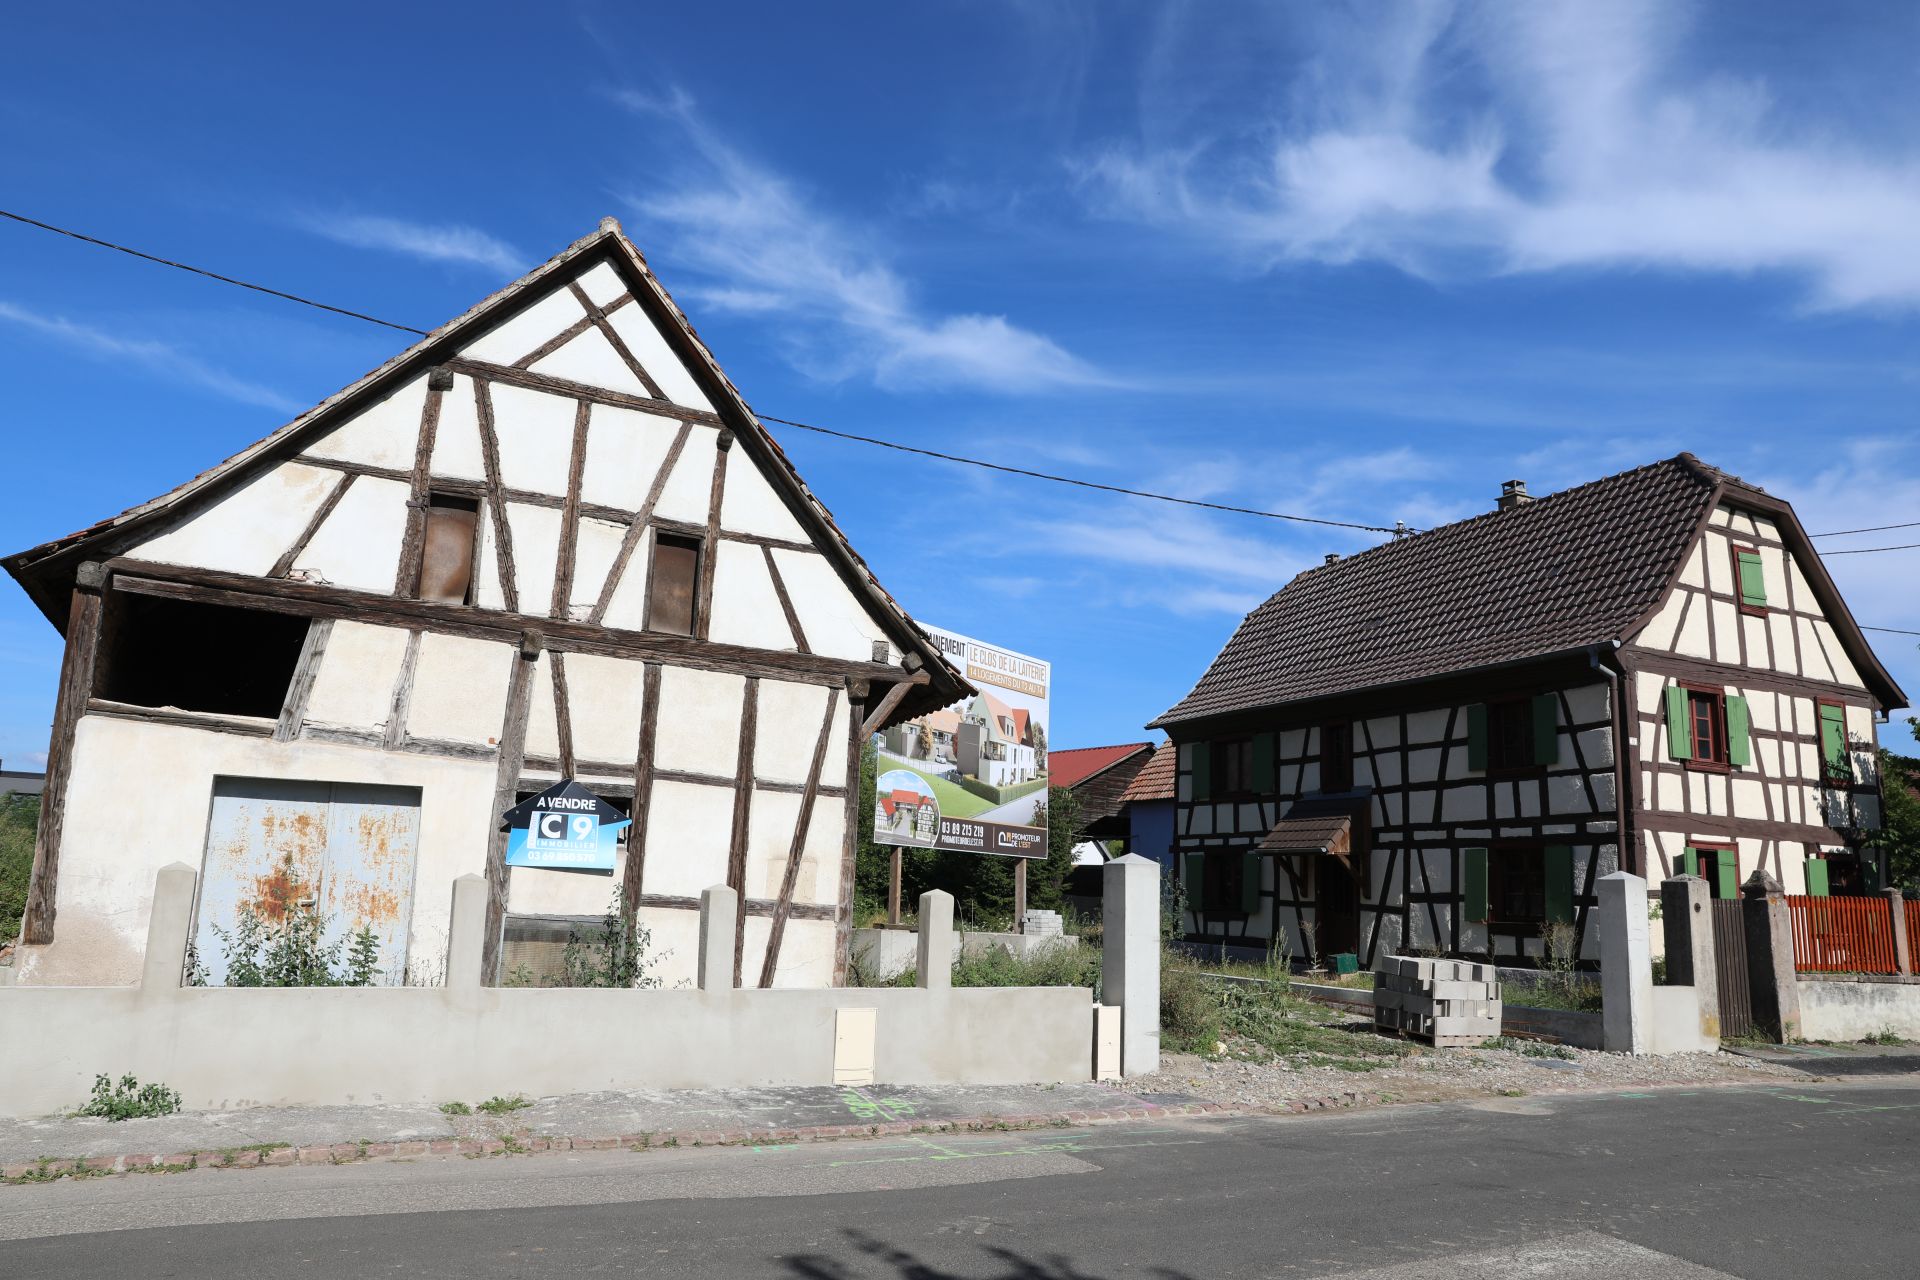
x: 345, y: 849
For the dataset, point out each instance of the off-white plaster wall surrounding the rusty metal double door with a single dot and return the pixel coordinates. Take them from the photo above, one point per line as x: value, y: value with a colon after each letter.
x: 124, y: 824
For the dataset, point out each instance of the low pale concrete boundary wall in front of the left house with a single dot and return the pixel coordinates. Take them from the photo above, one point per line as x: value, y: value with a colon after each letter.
x: 425, y: 1045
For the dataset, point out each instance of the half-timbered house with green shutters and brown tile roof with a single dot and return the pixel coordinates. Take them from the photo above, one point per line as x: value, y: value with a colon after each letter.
x: 1441, y: 744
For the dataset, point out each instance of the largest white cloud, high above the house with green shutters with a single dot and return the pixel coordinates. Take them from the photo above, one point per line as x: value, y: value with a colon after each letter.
x: 1541, y: 137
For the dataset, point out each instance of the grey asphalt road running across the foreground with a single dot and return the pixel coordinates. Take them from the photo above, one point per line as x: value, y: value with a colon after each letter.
x: 1787, y: 1183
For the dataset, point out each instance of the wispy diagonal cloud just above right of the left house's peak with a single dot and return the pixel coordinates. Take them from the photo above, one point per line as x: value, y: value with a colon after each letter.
x: 840, y: 306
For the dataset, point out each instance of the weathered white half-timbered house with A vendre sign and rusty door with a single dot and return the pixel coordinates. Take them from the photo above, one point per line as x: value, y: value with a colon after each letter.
x: 546, y: 542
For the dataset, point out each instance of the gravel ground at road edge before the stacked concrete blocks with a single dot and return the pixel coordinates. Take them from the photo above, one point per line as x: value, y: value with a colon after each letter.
x: 1445, y: 1076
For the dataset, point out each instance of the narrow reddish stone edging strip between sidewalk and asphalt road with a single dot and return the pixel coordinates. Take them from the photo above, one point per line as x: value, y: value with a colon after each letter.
x: 539, y: 1145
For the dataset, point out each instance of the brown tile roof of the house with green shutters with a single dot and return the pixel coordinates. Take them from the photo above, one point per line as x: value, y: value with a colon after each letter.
x: 1566, y: 571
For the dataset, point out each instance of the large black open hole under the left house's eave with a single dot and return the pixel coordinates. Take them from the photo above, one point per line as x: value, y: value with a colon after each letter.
x: 158, y: 652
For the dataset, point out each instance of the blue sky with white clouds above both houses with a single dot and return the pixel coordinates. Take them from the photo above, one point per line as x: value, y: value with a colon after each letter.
x: 1295, y: 258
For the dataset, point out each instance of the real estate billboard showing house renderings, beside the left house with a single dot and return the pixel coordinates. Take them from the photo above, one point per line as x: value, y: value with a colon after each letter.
x: 971, y: 778
